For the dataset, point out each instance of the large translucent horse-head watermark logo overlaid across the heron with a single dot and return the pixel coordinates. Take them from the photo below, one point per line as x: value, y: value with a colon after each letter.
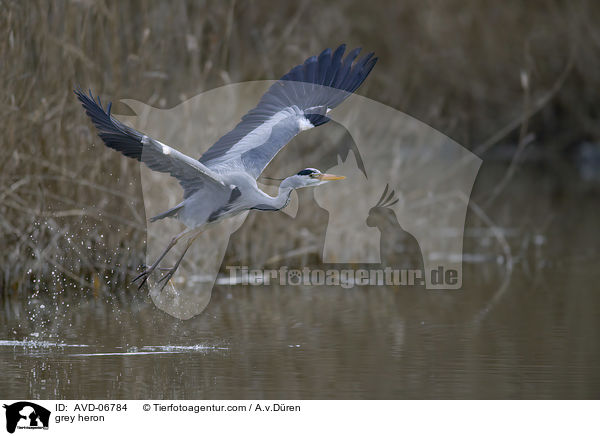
x: 402, y: 205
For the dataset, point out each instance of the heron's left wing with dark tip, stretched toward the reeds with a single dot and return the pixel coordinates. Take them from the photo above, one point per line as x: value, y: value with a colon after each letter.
x: 191, y: 174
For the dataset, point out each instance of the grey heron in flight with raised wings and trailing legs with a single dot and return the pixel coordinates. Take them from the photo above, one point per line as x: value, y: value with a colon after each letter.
x: 222, y: 183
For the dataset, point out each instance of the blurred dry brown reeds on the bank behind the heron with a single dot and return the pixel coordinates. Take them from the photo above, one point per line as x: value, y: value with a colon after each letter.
x: 70, y: 211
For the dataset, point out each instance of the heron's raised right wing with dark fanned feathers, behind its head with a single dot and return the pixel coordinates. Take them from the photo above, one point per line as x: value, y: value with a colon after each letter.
x: 298, y: 101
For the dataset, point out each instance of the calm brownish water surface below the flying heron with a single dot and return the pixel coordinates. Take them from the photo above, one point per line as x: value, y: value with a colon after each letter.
x: 524, y: 327
